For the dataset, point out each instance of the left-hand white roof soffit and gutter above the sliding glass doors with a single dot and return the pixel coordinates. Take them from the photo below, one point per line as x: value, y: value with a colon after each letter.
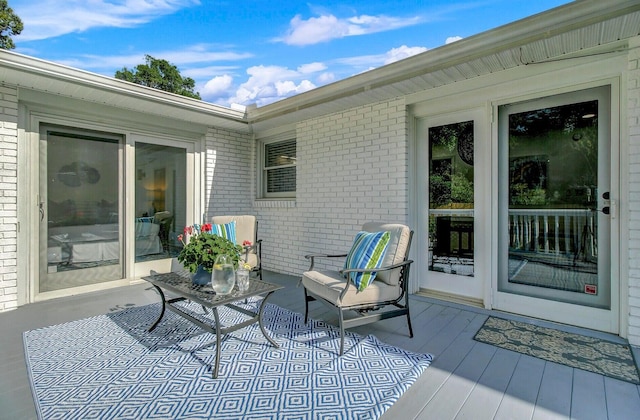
x: 39, y: 75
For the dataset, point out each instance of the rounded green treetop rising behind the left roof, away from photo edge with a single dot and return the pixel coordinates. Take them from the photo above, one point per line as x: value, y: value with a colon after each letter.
x: 159, y: 74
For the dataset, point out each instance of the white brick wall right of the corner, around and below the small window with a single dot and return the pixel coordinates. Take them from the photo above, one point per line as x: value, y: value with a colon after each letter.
x: 352, y: 168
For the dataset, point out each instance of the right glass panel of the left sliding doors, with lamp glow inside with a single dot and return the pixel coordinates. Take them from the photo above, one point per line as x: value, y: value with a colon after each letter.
x: 160, y: 200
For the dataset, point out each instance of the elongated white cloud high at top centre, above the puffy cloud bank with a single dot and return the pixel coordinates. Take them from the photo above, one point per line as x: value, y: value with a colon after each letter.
x: 327, y: 27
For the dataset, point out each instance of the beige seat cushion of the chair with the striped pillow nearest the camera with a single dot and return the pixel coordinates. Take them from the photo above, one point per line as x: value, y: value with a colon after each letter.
x: 329, y: 284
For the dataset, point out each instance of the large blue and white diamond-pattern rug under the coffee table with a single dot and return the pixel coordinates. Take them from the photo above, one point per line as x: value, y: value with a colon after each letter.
x: 110, y: 366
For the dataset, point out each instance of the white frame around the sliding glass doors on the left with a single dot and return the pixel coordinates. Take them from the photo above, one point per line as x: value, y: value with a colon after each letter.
x: 193, y: 141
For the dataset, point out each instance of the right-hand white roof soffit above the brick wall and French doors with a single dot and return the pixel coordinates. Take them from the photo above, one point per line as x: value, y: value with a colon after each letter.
x: 558, y: 32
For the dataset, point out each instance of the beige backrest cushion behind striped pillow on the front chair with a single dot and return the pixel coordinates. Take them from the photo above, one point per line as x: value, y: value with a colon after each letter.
x: 396, y: 249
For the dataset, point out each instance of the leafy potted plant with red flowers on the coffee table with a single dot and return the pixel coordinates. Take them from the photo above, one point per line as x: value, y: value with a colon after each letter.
x: 201, y: 247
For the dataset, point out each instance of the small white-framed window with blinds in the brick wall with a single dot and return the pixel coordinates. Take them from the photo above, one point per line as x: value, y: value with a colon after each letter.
x: 278, y: 168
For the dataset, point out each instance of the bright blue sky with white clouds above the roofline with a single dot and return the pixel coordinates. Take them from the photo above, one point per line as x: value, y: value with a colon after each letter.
x: 254, y: 51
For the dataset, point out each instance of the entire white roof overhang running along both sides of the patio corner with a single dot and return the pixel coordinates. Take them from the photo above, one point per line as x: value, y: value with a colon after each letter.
x: 560, y: 32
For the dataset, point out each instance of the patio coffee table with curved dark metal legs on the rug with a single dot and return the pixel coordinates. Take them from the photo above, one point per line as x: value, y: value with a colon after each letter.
x: 180, y: 285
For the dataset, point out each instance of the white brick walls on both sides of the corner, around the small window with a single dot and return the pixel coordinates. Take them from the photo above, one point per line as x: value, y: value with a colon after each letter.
x: 352, y: 168
